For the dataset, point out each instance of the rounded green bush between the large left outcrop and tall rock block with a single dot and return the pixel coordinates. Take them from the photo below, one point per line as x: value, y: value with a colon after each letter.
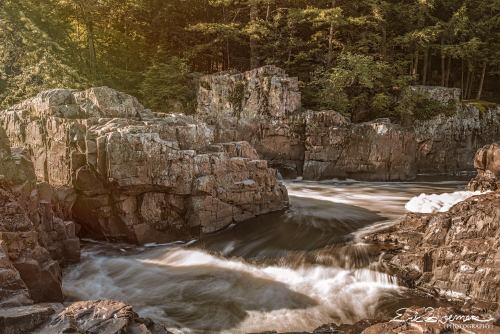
x: 168, y: 87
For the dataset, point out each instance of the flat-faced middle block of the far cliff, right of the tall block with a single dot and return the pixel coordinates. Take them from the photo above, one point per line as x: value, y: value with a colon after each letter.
x: 377, y: 150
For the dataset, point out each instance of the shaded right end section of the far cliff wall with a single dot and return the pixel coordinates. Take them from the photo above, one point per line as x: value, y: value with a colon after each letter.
x: 449, y: 144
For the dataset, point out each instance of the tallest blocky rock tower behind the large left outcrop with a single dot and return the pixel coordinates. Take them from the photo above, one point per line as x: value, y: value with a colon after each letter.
x: 260, y: 106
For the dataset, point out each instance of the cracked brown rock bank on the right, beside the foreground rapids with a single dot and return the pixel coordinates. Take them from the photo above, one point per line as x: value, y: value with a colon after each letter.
x: 454, y: 253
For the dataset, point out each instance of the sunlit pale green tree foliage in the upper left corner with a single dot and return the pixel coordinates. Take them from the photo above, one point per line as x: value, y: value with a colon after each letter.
x: 33, y: 54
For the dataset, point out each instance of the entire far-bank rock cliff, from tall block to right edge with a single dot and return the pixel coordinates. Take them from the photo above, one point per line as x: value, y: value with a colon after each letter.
x: 263, y: 106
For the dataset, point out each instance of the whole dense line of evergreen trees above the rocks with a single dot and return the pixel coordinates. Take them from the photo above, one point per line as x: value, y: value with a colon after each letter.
x: 356, y: 57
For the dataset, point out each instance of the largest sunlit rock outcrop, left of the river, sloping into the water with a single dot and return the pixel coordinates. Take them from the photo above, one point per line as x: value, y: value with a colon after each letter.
x: 139, y: 176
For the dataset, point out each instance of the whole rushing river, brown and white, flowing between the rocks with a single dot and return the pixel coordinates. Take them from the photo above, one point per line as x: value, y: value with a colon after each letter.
x: 289, y: 271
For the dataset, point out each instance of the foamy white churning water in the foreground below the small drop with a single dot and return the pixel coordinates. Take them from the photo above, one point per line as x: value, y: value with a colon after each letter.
x: 194, y: 290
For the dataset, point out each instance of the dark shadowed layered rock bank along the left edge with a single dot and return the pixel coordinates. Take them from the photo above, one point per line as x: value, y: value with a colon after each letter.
x: 34, y: 241
